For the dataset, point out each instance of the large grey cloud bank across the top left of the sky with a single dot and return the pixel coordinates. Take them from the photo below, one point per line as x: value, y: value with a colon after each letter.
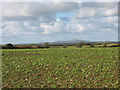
x: 44, y: 11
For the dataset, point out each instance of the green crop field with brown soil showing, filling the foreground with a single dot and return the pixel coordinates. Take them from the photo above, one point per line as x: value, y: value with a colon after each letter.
x: 60, y: 68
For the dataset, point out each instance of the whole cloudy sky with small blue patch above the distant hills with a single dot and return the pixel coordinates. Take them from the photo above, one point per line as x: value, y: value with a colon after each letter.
x: 34, y: 22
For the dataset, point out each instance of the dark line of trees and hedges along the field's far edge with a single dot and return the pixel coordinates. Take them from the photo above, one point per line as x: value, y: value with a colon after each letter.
x: 47, y: 45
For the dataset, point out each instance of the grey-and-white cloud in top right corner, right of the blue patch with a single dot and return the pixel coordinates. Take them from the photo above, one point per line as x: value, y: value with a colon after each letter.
x: 97, y: 9
